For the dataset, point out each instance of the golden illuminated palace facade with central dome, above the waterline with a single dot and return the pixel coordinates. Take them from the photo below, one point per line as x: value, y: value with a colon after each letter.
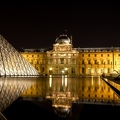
x: 62, y: 58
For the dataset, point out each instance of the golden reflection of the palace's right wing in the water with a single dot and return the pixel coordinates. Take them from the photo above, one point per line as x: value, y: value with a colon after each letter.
x: 95, y: 90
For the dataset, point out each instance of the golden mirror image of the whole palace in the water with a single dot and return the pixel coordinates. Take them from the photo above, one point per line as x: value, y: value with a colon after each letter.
x: 65, y: 91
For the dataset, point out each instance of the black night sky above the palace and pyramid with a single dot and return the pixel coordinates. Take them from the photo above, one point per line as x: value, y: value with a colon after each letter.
x: 36, y: 24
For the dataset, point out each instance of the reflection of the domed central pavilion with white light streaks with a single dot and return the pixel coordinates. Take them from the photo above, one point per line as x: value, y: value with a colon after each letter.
x: 61, y: 96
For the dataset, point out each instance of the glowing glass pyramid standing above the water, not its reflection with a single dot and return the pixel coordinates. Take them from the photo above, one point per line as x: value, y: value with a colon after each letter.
x: 12, y: 62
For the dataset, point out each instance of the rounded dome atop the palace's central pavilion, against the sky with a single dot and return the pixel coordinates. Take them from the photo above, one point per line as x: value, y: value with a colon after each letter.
x: 63, y: 39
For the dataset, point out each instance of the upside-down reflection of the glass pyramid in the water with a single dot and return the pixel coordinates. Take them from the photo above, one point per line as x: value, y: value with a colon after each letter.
x: 12, y: 87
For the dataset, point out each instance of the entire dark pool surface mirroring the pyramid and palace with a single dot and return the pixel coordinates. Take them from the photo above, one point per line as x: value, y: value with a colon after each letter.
x: 58, y: 98
